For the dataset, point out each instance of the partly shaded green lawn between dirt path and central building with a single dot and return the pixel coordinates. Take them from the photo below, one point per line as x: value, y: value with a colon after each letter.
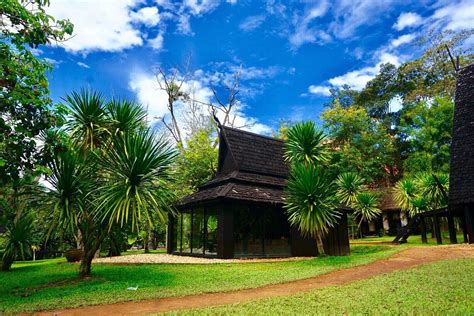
x: 53, y: 284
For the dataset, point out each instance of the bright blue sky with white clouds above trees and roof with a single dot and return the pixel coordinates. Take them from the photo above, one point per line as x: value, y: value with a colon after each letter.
x: 288, y: 53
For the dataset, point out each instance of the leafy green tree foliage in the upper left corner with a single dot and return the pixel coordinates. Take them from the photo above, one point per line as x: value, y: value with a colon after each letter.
x: 25, y: 107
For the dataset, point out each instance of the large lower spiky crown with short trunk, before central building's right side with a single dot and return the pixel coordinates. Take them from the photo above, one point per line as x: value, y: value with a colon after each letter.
x: 310, y: 202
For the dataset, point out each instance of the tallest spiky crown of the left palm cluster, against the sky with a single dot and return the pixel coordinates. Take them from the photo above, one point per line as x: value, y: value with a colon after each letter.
x: 87, y: 118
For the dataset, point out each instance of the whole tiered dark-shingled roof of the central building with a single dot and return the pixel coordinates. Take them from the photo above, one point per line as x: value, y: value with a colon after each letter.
x: 251, y: 168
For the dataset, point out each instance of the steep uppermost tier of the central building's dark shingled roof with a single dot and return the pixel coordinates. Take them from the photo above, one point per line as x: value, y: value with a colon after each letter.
x: 255, y: 153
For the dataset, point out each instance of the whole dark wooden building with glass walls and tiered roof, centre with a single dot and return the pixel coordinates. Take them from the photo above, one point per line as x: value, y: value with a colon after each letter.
x: 239, y: 213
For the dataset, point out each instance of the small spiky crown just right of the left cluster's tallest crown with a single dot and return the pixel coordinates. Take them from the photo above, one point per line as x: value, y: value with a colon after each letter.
x: 124, y: 116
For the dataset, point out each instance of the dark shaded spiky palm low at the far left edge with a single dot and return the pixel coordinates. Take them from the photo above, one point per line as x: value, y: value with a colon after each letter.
x: 18, y: 239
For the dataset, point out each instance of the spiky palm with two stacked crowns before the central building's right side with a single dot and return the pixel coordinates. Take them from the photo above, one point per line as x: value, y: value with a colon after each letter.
x: 310, y: 191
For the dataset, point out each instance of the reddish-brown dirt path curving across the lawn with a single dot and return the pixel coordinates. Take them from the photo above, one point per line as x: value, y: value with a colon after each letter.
x: 406, y: 259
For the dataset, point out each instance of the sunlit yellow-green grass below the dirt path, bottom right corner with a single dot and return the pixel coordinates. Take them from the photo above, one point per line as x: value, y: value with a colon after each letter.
x: 441, y: 288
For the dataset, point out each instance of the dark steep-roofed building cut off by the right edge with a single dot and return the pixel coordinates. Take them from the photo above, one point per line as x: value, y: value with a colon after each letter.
x: 461, y: 190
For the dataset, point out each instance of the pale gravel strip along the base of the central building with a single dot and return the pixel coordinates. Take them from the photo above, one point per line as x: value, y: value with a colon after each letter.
x: 165, y: 258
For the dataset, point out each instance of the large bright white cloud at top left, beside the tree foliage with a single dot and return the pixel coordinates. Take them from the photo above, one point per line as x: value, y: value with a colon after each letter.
x: 98, y: 25
